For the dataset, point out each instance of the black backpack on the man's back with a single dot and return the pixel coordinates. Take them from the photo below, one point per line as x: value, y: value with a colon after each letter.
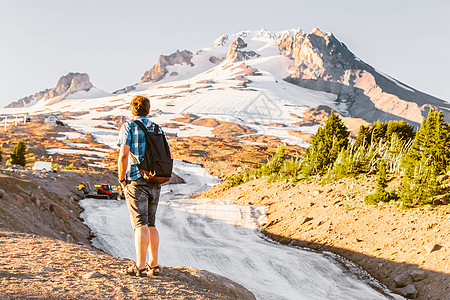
x: 157, y: 164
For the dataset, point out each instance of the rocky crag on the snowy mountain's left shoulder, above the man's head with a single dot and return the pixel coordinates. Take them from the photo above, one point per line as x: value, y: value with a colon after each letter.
x: 158, y: 71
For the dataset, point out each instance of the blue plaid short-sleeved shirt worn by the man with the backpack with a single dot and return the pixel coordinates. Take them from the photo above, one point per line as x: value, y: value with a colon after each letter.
x: 130, y: 134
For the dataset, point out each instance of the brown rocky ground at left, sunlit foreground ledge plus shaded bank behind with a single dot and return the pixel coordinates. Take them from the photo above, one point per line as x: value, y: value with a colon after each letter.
x: 46, y: 251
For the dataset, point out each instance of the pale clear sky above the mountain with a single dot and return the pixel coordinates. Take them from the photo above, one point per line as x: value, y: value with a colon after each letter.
x: 115, y: 42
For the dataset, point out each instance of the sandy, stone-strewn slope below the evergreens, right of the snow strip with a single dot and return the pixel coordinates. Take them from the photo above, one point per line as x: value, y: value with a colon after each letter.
x: 406, y: 249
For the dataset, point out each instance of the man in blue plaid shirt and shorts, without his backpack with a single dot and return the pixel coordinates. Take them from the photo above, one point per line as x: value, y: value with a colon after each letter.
x: 141, y: 196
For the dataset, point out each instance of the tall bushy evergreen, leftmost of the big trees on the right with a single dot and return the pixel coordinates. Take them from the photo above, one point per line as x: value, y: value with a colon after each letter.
x: 326, y: 145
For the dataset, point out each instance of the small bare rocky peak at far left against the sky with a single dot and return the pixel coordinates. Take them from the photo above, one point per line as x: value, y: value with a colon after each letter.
x: 68, y: 84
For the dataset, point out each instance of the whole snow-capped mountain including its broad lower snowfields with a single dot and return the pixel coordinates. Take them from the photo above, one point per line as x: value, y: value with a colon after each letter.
x: 261, y: 81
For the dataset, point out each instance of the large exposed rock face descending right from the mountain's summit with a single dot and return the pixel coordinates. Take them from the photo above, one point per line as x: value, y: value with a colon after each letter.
x: 323, y: 63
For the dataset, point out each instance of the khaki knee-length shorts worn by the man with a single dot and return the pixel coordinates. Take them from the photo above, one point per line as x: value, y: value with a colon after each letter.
x: 142, y: 200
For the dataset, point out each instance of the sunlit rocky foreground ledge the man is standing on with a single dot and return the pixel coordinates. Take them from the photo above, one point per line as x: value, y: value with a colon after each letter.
x: 38, y: 267
